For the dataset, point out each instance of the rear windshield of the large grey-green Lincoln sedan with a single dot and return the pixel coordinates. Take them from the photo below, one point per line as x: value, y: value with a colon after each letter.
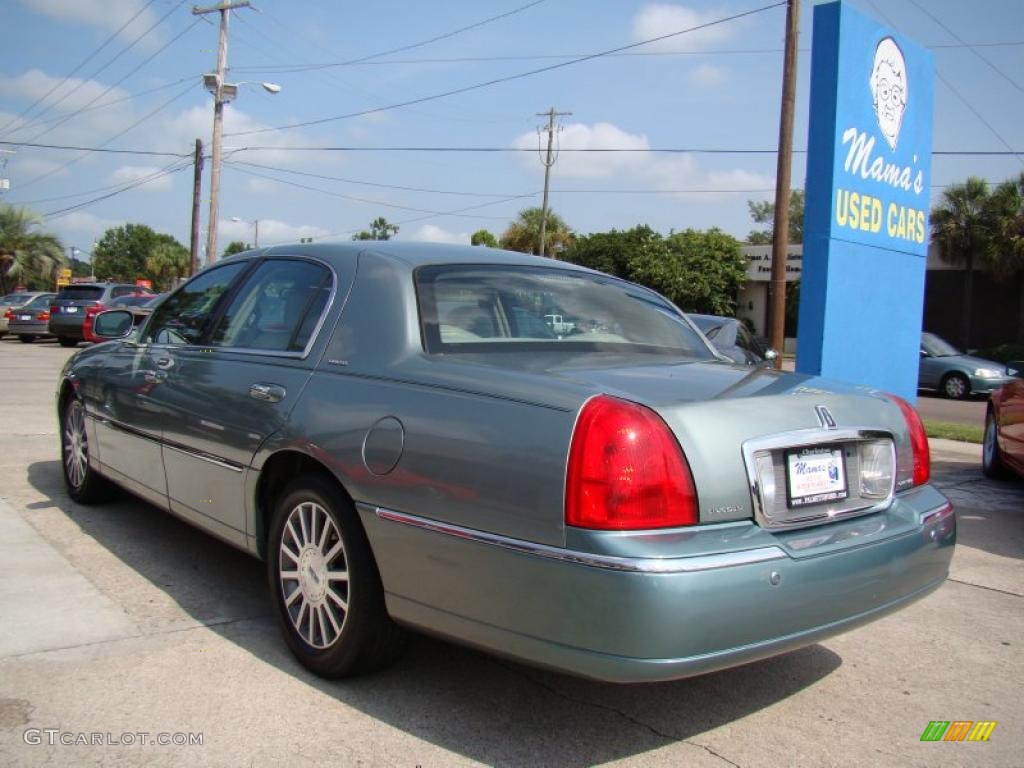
x: 496, y: 309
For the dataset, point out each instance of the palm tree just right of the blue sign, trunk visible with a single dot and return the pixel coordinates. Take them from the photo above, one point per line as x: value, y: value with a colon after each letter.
x: 969, y: 227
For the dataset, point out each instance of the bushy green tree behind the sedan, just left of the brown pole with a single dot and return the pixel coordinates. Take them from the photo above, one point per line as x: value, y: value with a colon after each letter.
x: 699, y: 271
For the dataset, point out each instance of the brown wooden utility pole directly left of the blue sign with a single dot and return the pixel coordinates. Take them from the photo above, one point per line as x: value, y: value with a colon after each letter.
x: 781, y: 241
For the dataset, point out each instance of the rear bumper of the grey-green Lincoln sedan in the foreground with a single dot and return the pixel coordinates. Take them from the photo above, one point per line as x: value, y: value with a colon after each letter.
x: 670, y: 618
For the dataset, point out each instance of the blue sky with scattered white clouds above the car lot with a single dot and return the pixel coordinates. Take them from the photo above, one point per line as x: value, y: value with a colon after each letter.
x: 127, y: 75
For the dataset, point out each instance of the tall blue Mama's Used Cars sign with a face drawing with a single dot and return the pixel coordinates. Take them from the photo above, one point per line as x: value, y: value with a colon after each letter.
x: 866, y: 228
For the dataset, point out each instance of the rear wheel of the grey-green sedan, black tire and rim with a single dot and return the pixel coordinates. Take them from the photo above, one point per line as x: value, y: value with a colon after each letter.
x: 338, y: 643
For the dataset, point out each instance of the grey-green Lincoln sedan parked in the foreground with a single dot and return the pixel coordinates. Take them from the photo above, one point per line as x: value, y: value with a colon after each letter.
x: 403, y: 436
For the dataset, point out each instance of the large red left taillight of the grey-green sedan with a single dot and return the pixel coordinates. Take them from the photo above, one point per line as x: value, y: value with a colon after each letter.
x: 627, y: 472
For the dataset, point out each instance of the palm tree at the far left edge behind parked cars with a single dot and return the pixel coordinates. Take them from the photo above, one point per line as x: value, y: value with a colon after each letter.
x: 27, y: 255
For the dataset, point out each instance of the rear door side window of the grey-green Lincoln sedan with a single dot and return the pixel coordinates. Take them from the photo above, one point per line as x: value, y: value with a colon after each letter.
x: 278, y: 308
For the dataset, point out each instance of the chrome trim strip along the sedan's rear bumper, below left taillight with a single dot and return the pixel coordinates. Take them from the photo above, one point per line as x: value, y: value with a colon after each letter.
x: 629, y: 565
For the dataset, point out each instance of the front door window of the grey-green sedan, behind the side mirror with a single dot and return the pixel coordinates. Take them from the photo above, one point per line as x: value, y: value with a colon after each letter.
x: 182, y: 319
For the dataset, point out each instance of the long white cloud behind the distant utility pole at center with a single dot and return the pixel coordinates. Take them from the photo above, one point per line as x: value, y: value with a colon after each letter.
x: 660, y: 172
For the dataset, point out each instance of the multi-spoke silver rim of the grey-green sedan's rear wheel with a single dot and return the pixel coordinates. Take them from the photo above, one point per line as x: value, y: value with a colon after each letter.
x: 314, y: 568
